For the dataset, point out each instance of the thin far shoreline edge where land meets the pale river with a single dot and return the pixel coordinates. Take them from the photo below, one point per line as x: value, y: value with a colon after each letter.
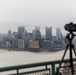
x: 40, y: 50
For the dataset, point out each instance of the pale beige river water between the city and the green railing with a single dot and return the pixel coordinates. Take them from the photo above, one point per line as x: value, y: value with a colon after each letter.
x: 12, y: 58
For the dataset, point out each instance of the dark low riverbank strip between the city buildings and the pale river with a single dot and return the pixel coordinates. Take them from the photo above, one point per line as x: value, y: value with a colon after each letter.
x: 32, y: 49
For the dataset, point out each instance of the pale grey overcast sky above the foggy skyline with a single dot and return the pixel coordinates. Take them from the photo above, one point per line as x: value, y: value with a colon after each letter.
x: 29, y: 13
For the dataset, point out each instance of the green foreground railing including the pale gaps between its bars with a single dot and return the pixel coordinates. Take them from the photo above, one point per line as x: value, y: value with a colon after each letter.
x: 48, y: 67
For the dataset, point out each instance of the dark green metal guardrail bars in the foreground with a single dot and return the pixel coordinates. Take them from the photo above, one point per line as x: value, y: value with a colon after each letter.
x: 35, y: 65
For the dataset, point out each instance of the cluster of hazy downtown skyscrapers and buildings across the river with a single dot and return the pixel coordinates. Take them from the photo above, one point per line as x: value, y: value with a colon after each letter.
x: 22, y: 39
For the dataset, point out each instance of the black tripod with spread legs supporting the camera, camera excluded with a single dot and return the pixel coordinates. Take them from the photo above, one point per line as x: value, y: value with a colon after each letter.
x: 71, y: 47
